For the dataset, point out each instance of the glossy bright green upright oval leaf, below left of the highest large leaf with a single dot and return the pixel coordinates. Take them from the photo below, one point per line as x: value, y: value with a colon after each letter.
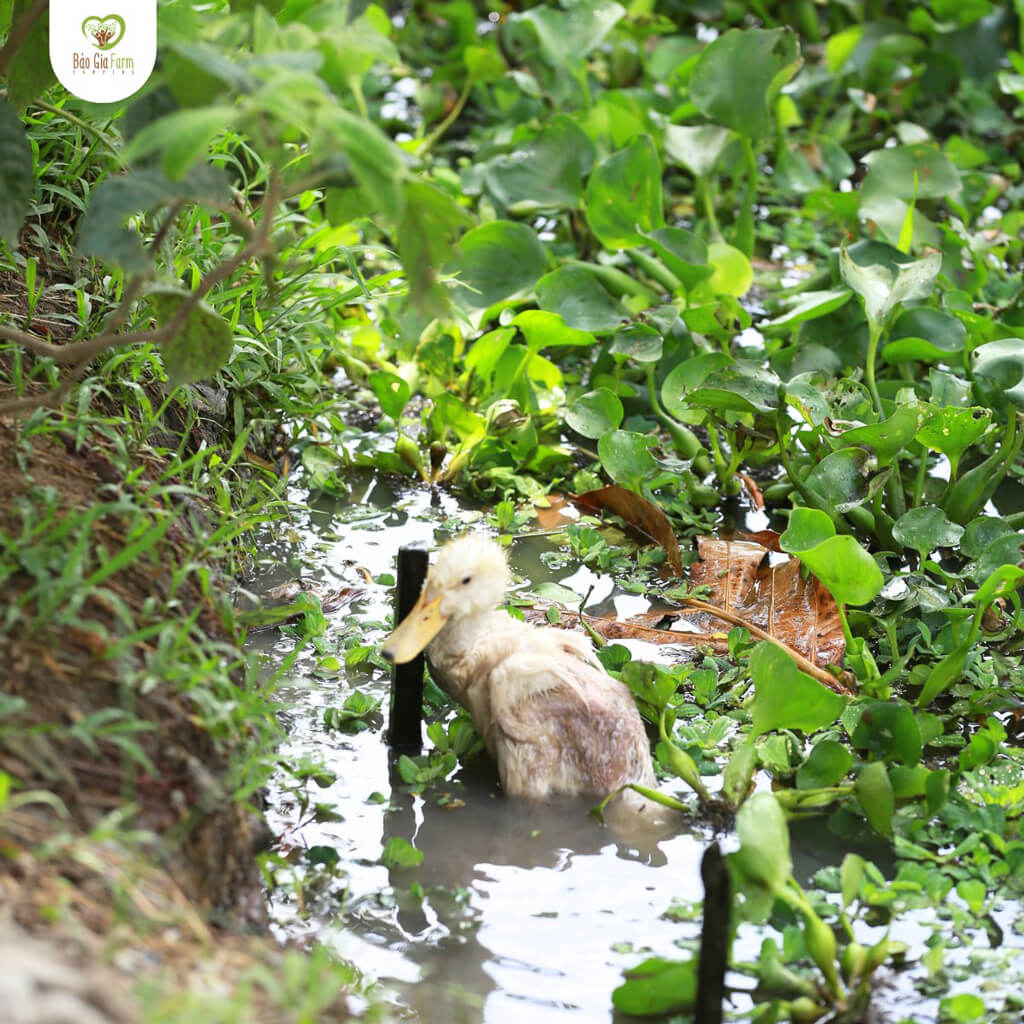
x: 624, y: 196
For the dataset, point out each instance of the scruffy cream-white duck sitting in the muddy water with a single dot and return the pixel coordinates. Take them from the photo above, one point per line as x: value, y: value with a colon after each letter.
x: 549, y: 714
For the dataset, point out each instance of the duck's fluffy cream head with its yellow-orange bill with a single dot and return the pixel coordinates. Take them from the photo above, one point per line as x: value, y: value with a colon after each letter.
x: 470, y: 579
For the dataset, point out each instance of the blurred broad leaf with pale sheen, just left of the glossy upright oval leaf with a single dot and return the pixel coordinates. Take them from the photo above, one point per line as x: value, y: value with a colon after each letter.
x: 545, y: 172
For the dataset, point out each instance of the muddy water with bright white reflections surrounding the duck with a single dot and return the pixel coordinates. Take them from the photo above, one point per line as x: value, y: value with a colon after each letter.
x: 519, y: 912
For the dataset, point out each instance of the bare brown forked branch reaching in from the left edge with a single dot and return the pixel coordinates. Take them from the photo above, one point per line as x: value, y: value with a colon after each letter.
x: 82, y: 354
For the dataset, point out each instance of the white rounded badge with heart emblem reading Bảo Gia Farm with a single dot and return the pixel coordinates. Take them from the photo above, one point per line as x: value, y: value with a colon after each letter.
x: 104, y: 58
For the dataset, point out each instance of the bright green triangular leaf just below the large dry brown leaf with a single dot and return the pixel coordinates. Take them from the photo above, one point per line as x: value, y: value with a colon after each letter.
x: 786, y: 698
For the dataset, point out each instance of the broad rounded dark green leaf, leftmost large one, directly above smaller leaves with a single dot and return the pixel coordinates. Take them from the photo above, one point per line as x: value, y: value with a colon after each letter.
x: 496, y: 262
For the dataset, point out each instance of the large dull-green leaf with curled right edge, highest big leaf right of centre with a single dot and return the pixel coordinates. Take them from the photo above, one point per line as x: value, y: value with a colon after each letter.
x: 740, y: 76
